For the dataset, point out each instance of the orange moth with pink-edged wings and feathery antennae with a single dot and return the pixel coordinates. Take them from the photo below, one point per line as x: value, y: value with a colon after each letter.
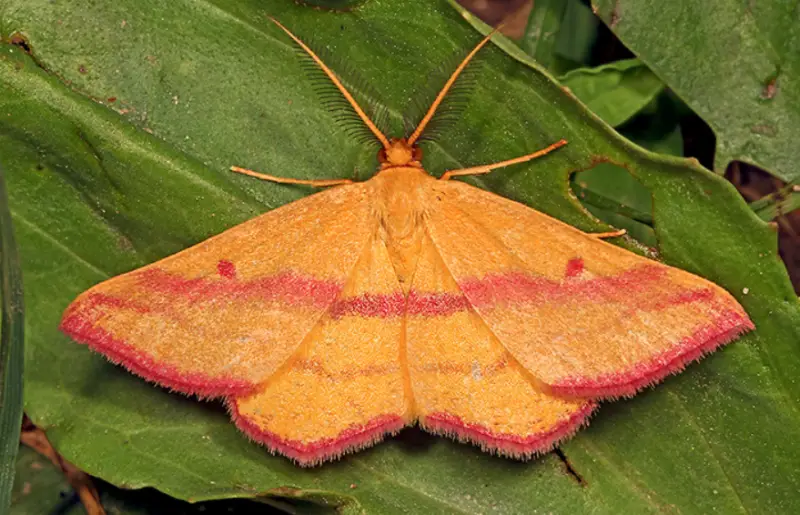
x: 343, y: 317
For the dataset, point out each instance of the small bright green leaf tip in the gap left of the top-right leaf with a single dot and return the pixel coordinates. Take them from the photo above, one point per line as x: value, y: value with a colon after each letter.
x: 616, y: 91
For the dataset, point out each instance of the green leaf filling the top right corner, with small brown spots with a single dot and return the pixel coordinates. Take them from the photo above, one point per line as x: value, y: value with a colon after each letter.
x: 734, y: 63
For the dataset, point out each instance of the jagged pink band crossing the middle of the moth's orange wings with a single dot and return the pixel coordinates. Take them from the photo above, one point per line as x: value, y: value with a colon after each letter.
x: 490, y: 291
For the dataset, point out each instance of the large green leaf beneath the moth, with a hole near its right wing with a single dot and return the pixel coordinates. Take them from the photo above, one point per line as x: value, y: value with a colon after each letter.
x: 200, y: 85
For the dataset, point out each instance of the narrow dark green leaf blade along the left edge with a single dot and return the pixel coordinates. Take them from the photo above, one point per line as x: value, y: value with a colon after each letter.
x: 12, y: 327
